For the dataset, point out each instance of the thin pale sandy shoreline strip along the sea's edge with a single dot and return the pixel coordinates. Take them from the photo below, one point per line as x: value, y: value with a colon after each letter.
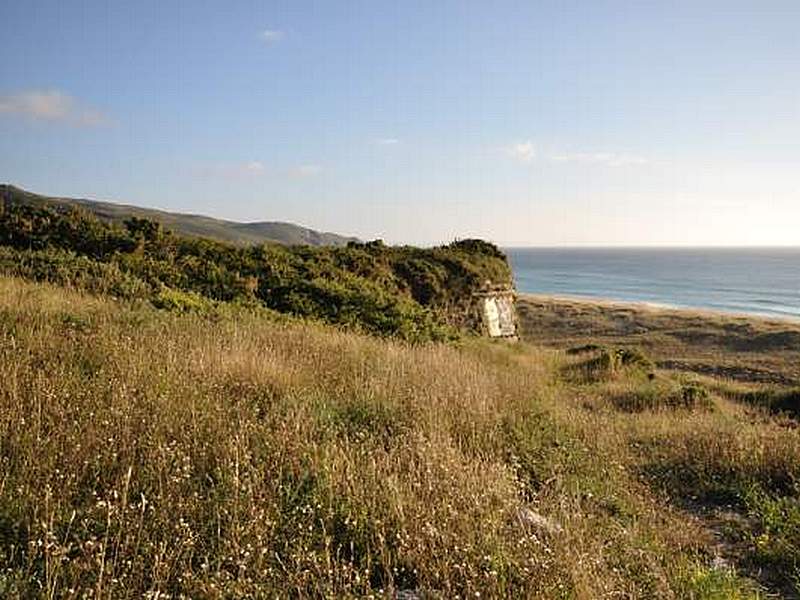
x: 650, y: 306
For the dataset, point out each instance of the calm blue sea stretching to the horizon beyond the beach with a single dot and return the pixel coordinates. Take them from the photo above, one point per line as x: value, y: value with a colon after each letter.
x: 758, y: 281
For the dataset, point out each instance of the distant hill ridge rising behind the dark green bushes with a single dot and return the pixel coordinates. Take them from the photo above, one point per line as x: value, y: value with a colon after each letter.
x: 188, y: 225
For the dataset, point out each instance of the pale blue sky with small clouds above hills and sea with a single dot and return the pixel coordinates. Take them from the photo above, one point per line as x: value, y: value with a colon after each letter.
x: 526, y: 123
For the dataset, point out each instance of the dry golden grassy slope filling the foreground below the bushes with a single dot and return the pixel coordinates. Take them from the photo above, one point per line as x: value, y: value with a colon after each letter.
x: 234, y: 456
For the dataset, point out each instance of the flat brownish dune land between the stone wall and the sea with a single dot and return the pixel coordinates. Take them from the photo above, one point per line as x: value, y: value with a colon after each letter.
x: 745, y: 348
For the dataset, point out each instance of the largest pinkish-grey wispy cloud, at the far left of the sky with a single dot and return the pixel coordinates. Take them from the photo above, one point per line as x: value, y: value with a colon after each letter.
x: 50, y: 106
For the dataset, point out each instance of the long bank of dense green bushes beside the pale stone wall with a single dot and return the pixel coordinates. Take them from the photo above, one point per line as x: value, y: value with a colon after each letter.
x: 414, y: 293
